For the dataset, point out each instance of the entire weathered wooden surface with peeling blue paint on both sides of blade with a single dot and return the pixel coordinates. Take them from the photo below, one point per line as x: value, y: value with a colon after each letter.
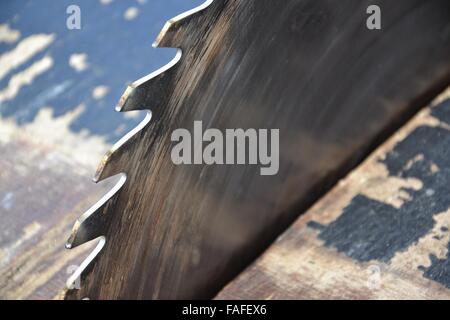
x: 383, y: 232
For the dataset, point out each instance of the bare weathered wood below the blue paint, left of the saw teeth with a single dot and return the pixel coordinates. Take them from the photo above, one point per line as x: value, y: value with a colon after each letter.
x: 38, y: 202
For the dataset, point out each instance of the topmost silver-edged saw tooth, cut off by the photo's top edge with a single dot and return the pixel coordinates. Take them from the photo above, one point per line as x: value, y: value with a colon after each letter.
x: 175, y: 32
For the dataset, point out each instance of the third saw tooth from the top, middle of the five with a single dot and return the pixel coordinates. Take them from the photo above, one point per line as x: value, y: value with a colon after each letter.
x: 112, y: 163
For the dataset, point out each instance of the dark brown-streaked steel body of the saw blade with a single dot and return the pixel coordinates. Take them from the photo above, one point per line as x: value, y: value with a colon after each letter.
x: 310, y: 68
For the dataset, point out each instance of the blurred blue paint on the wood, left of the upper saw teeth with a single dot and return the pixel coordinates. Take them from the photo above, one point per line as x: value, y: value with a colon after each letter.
x: 119, y: 51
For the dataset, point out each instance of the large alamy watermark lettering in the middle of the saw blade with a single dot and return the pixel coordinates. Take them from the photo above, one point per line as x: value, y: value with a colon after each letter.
x: 233, y: 146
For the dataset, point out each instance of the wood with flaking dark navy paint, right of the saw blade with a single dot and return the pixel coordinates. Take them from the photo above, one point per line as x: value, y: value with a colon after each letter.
x: 381, y: 233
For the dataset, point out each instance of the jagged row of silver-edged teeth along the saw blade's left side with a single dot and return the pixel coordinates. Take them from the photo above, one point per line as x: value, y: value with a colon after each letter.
x: 148, y: 93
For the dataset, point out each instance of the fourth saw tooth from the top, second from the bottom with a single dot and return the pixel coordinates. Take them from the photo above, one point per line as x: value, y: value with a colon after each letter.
x: 91, y: 224
